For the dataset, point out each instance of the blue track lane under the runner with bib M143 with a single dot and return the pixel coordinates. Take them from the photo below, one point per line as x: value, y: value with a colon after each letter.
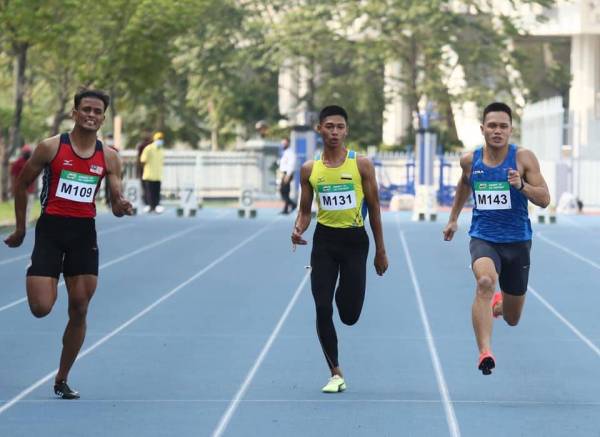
x: 540, y: 363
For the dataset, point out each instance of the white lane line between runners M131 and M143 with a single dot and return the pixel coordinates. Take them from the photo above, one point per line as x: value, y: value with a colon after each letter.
x: 439, y: 374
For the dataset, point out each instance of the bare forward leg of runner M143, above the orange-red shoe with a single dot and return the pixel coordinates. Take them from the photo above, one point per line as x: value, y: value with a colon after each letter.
x: 486, y: 277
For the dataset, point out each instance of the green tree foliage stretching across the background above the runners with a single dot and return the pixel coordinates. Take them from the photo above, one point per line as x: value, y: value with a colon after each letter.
x: 207, y: 70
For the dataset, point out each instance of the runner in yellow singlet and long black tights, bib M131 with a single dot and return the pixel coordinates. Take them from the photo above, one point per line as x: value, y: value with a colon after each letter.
x: 345, y: 189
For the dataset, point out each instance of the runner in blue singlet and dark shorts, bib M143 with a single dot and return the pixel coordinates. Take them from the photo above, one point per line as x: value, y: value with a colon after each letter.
x: 502, y: 178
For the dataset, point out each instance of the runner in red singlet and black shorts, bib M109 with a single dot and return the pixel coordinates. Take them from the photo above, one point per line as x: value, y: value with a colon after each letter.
x: 65, y: 235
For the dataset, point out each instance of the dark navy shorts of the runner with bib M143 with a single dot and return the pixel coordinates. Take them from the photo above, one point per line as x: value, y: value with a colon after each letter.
x: 511, y: 261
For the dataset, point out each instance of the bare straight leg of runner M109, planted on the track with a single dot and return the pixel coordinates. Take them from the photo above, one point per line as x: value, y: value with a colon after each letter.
x: 80, y: 289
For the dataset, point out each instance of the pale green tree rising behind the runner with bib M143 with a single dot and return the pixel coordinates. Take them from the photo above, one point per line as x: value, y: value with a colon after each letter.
x: 421, y: 35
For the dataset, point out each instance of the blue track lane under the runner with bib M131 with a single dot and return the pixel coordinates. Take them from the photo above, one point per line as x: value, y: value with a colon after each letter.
x: 391, y: 384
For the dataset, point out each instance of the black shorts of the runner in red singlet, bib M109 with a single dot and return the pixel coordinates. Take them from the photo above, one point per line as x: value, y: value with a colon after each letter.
x: 64, y: 244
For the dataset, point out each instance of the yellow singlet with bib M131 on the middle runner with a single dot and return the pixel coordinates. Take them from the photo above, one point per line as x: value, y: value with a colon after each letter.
x: 339, y: 193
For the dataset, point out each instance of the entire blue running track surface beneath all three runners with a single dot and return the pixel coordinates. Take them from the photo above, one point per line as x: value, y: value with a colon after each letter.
x: 174, y: 371
